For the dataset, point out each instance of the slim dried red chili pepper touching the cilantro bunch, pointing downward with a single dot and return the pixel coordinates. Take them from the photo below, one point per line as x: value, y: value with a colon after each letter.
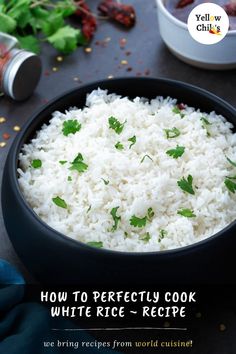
x: 89, y: 22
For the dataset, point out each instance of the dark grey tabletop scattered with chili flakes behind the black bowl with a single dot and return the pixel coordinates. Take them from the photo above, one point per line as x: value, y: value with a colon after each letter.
x: 117, y: 52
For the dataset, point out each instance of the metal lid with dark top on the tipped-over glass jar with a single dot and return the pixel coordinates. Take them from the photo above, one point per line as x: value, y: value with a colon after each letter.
x: 21, y: 75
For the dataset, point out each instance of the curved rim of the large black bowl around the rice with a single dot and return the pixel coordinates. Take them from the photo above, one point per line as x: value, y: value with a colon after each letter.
x: 17, y: 145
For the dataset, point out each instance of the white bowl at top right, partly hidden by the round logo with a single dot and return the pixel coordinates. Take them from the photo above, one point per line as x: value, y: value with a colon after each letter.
x: 220, y: 56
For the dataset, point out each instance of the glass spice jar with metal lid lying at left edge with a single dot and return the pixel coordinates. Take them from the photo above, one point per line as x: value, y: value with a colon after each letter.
x: 20, y: 70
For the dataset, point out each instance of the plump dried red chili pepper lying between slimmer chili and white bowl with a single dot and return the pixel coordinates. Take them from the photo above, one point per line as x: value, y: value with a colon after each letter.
x: 124, y: 14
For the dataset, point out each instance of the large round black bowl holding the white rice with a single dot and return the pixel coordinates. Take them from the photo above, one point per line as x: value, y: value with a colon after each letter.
x: 53, y: 257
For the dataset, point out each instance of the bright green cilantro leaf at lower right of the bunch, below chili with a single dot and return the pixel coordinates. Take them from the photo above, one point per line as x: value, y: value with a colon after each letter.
x: 65, y: 39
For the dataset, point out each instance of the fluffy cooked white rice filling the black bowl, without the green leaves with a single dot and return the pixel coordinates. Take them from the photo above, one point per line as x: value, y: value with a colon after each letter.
x: 134, y: 186
